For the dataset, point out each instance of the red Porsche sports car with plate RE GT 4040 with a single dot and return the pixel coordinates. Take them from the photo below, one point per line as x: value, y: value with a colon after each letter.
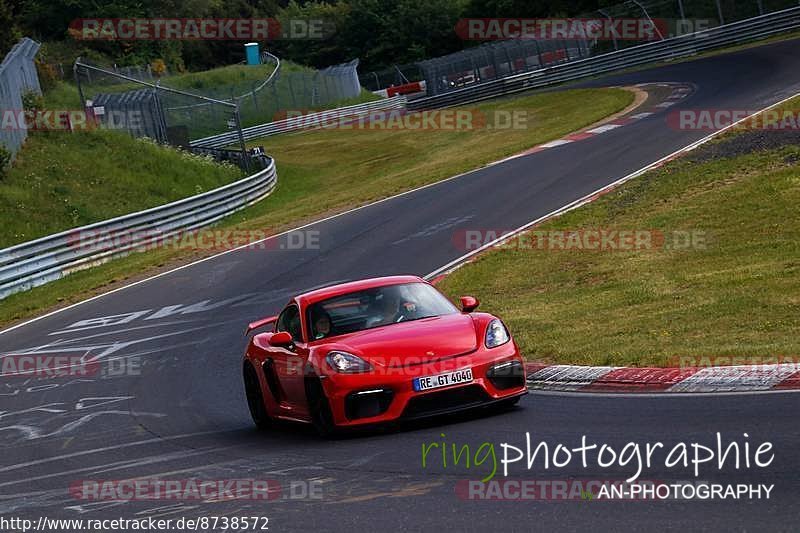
x: 378, y: 350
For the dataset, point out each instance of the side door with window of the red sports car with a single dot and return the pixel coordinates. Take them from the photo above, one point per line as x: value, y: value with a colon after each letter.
x: 288, y: 363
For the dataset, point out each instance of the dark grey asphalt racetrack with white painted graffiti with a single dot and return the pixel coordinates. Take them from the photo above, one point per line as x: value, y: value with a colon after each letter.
x: 185, y: 415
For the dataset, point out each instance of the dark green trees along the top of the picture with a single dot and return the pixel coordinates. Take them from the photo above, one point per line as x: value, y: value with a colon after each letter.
x: 380, y: 33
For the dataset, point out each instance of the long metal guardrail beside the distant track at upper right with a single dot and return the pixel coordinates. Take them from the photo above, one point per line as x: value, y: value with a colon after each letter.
x: 667, y: 49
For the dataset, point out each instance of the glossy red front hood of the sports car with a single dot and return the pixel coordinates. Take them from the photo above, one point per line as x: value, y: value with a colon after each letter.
x: 414, y: 342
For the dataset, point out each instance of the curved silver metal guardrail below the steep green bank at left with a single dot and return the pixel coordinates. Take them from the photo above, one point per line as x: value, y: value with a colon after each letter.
x: 40, y: 261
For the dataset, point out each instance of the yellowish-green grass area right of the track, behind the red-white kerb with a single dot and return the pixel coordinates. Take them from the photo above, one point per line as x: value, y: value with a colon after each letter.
x: 734, y: 296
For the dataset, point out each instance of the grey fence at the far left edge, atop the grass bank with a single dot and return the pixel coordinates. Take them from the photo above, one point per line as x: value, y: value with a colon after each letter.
x: 17, y: 76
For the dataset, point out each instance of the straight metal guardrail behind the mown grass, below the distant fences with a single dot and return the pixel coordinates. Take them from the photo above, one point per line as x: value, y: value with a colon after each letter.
x: 353, y: 112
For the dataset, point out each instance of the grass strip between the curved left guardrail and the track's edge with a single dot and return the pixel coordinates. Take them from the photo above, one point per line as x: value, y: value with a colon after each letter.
x: 324, y: 172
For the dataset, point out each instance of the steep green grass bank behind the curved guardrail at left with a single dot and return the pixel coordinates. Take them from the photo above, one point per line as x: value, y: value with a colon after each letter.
x: 61, y: 180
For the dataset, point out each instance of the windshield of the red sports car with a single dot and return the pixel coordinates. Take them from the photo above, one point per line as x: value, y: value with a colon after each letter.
x: 375, y: 307
